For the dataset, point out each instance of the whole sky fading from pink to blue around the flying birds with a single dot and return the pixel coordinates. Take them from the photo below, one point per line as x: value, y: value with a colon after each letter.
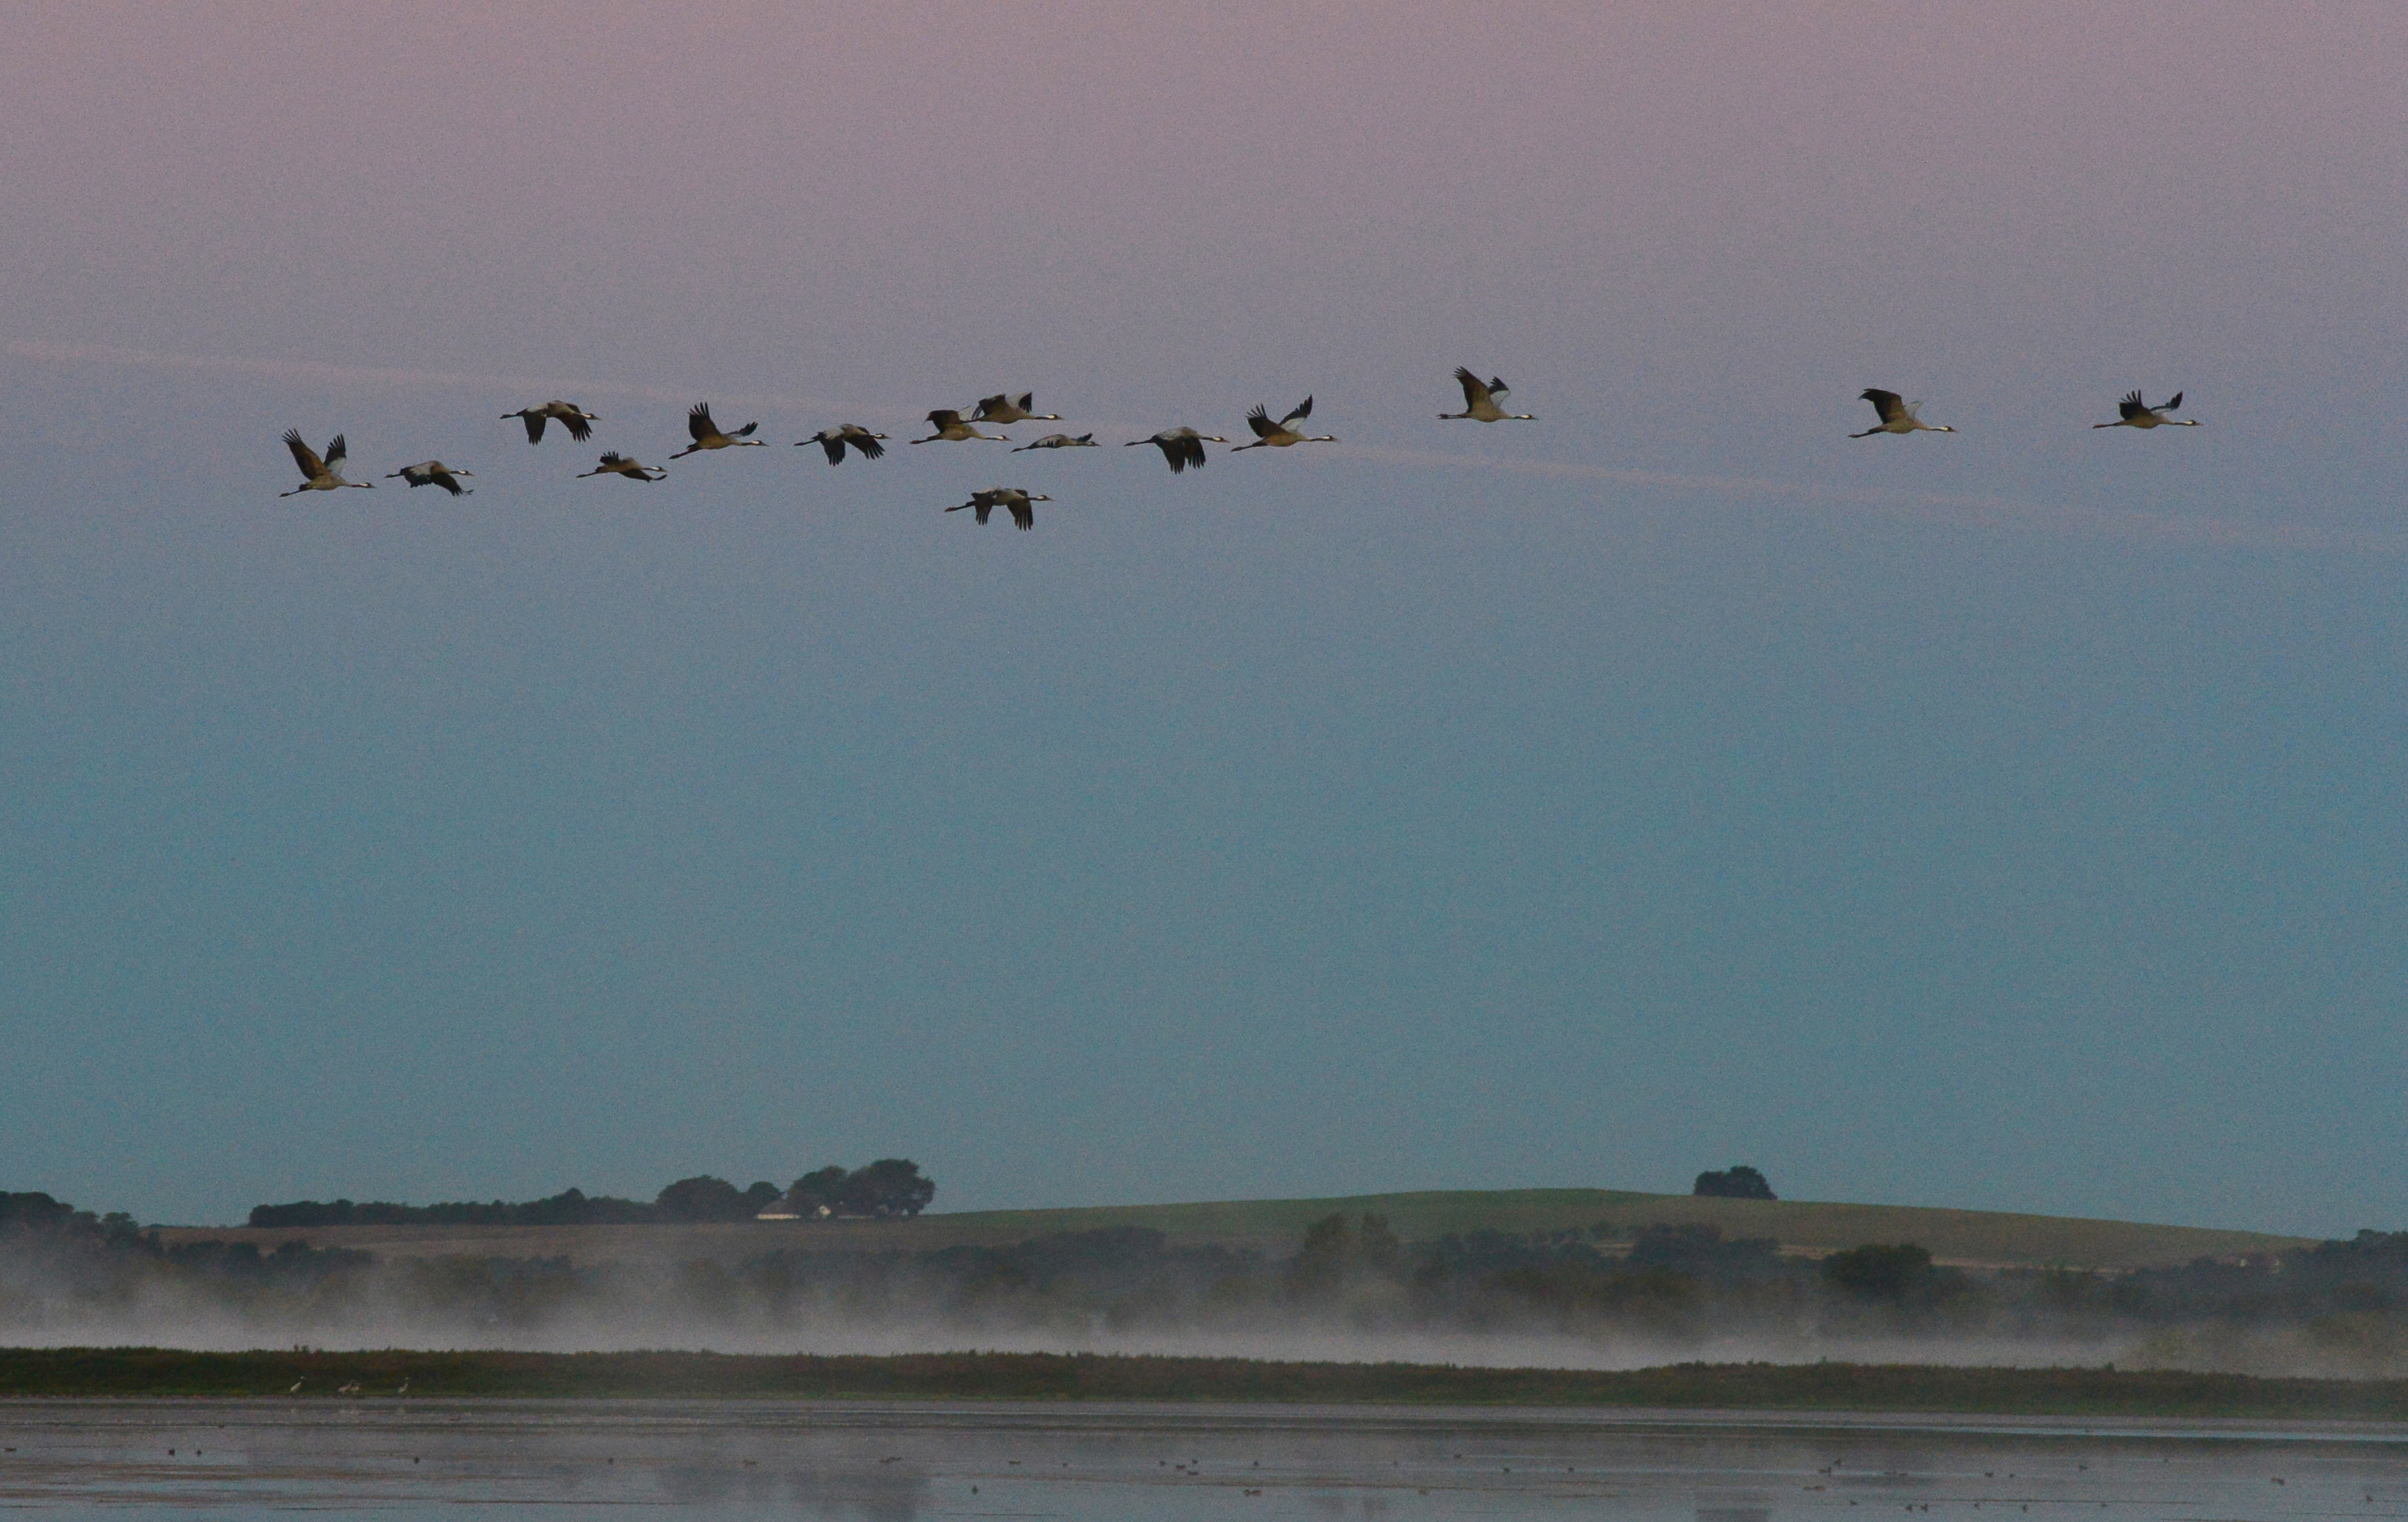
x: 2000, y: 820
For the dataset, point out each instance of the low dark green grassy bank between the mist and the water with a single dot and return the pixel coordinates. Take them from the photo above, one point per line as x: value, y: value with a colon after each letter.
x: 1090, y: 1376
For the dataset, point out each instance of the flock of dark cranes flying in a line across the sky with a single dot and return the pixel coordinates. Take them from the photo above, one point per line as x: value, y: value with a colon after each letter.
x: 1485, y: 403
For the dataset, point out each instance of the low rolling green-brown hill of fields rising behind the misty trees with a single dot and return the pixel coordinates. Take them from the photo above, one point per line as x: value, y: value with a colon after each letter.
x: 1988, y: 1239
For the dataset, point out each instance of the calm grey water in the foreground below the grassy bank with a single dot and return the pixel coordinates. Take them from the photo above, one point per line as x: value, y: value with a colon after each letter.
x: 1114, y: 1463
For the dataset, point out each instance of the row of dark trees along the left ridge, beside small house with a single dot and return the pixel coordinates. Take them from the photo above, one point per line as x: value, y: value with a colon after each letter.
x: 885, y: 1191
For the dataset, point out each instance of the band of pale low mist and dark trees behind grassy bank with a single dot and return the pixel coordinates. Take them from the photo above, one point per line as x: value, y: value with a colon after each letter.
x: 1345, y: 1290
